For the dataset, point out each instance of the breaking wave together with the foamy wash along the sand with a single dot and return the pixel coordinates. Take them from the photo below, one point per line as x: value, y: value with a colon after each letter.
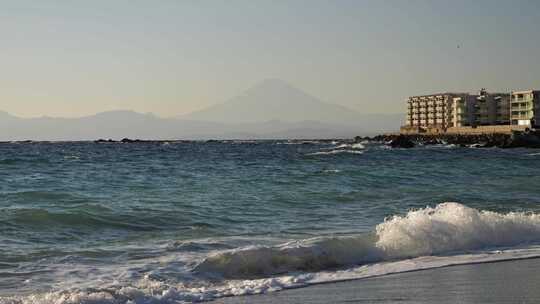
x: 448, y: 234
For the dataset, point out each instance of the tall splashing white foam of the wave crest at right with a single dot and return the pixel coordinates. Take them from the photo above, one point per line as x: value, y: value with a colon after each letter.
x: 454, y: 227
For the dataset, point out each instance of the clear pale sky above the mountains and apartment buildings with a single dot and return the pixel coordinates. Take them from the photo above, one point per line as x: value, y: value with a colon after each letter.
x: 75, y: 58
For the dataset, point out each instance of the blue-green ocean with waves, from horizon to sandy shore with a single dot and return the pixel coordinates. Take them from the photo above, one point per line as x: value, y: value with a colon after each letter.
x: 185, y: 222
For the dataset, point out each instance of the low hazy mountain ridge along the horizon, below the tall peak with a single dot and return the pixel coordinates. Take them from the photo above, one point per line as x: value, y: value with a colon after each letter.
x: 120, y: 124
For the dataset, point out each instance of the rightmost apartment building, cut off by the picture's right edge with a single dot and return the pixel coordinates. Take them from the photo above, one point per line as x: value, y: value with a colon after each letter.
x: 525, y: 108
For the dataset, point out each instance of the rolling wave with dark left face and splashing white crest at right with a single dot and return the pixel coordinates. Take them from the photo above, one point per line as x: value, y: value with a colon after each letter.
x: 446, y: 228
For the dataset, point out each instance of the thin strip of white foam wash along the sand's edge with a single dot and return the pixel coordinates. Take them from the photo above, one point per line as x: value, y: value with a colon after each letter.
x: 149, y: 291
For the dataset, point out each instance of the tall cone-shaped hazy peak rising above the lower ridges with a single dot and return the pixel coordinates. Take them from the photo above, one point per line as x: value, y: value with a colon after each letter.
x: 274, y: 99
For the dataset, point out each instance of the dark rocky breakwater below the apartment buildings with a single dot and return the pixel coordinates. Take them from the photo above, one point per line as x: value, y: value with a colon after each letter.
x: 528, y: 139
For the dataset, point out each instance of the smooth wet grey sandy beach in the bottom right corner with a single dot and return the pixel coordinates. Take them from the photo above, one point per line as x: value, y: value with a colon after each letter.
x: 501, y: 282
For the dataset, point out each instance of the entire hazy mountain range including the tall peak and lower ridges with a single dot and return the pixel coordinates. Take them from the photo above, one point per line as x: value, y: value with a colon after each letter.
x: 270, y: 110
